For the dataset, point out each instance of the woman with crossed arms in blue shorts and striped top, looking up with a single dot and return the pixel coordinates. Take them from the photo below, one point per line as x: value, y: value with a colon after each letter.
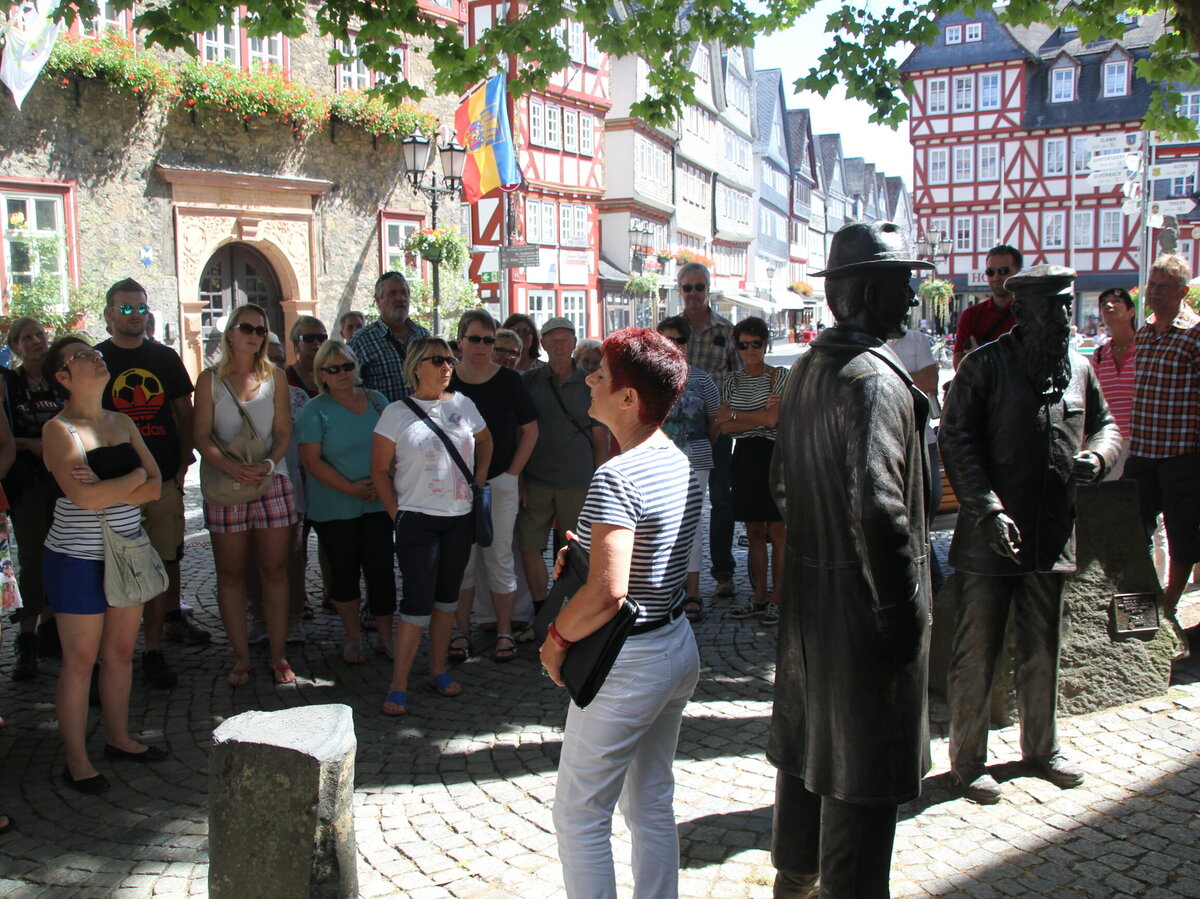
x: 104, y: 468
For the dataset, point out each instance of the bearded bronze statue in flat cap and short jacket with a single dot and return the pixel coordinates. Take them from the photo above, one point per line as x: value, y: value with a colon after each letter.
x: 1024, y: 423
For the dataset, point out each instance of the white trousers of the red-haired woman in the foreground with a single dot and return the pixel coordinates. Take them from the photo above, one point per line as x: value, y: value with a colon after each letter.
x: 623, y: 746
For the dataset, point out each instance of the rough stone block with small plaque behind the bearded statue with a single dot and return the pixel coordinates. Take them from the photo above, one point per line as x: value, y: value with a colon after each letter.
x: 1097, y: 668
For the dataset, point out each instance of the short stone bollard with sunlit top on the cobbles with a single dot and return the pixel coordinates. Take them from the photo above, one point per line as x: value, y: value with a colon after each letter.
x: 281, y: 805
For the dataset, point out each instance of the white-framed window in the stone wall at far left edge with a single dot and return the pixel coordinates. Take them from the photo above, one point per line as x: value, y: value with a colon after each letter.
x: 35, y: 242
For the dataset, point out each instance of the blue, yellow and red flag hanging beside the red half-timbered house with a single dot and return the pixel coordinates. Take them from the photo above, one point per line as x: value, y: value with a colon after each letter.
x: 483, y: 128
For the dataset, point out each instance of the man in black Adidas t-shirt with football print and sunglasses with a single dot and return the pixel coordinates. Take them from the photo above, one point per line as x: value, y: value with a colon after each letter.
x: 151, y: 385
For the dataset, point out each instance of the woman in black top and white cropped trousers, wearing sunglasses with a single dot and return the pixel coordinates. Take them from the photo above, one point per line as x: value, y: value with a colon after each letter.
x: 508, y: 409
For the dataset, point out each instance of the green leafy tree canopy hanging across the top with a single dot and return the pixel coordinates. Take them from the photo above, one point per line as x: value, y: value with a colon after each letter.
x: 665, y: 32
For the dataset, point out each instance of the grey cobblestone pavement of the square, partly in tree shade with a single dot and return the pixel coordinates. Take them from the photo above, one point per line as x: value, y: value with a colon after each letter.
x: 454, y: 801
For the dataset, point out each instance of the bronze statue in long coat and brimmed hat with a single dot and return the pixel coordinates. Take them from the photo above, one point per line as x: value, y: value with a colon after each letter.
x: 850, y: 472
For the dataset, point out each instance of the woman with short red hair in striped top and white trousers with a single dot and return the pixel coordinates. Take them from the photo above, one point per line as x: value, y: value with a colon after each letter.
x: 638, y: 525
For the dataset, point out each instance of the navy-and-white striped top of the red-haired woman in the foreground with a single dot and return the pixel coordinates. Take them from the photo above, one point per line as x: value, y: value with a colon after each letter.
x: 652, y: 492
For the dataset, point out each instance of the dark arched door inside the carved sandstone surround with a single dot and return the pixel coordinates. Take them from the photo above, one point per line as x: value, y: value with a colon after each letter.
x: 235, y: 275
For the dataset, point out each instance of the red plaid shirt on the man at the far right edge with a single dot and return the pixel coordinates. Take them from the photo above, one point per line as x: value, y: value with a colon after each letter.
x: 1167, y: 391
